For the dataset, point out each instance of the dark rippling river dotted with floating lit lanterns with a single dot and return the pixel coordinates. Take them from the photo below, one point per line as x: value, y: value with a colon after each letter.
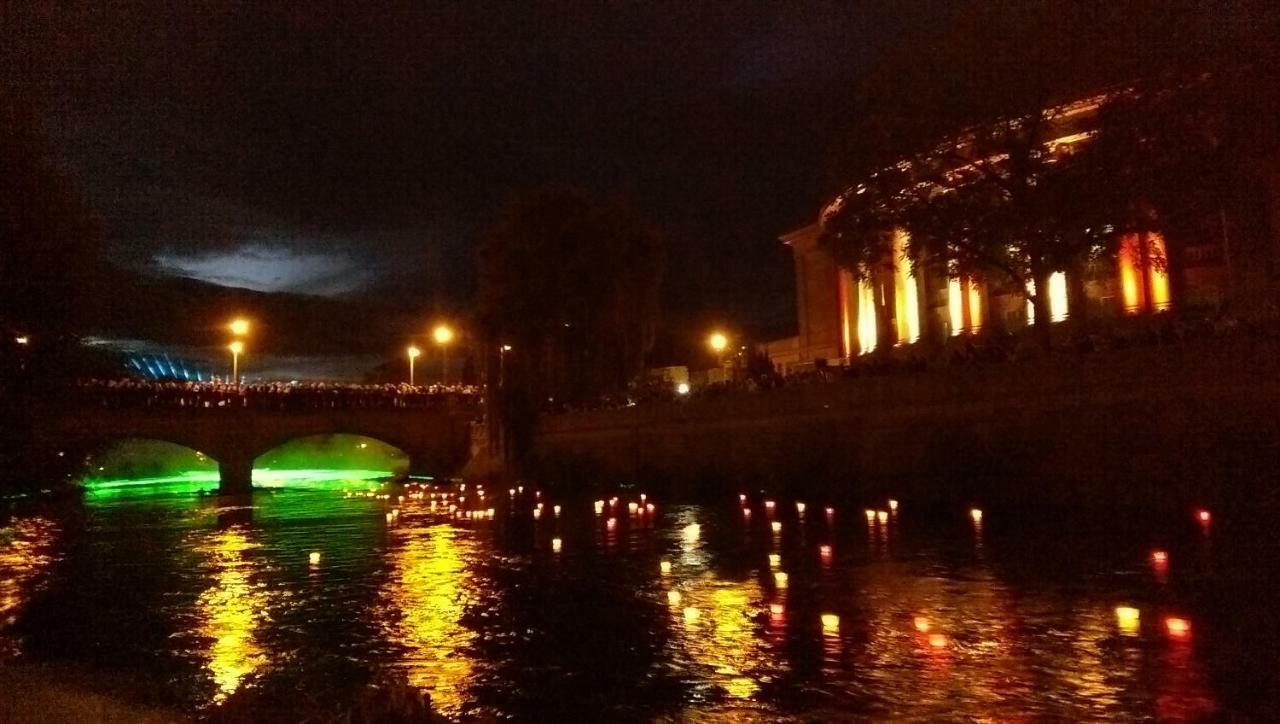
x: 696, y: 612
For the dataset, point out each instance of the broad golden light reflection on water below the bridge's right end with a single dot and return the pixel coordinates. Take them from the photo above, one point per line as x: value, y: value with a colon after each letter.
x: 427, y: 593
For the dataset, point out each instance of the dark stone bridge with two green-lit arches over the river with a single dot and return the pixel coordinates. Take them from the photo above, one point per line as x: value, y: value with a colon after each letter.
x: 436, y: 439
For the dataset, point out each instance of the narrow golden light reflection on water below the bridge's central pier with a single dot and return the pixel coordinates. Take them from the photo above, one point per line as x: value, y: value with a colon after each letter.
x: 231, y: 611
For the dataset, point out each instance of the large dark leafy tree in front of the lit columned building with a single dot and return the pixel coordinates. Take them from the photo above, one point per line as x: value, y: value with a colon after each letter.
x: 958, y: 146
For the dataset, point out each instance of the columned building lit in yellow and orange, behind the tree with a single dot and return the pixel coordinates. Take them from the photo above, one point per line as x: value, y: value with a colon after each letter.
x: 838, y: 320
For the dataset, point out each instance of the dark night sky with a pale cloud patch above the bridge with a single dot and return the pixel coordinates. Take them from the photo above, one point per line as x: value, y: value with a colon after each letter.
x: 330, y: 150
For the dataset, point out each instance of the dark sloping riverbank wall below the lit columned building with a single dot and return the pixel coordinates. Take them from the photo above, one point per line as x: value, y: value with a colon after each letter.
x: 1153, y: 427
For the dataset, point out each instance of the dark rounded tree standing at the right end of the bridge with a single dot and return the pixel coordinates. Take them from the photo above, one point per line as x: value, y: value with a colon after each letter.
x: 570, y: 283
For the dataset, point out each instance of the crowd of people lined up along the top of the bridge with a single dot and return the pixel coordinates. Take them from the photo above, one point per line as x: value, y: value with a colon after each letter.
x: 218, y: 395
